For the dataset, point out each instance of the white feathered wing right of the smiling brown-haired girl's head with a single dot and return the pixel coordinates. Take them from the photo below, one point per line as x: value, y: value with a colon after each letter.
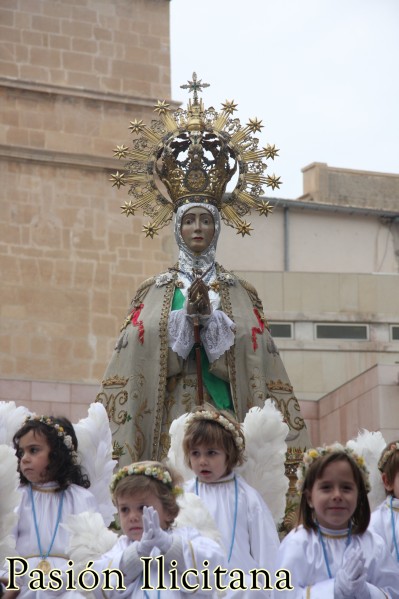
x: 370, y: 446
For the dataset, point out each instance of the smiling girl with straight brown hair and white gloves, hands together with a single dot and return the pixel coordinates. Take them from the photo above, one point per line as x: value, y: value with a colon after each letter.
x: 331, y: 554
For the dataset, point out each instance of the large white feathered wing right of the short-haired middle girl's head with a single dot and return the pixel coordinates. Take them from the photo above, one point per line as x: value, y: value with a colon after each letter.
x: 265, y: 449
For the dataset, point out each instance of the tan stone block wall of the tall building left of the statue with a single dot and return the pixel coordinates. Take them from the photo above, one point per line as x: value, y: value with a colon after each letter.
x: 72, y: 76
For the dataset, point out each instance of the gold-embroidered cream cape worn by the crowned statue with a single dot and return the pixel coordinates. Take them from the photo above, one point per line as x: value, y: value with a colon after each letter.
x: 147, y: 385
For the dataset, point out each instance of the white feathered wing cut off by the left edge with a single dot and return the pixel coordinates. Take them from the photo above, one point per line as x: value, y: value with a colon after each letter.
x: 9, y: 500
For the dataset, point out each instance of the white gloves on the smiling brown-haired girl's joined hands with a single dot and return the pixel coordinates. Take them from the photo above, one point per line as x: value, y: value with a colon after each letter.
x: 350, y: 580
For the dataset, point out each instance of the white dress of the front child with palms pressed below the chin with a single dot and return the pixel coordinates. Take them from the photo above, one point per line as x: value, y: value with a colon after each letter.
x: 189, y: 548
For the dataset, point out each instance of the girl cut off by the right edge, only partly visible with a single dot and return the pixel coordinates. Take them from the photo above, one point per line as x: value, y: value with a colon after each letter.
x: 385, y: 519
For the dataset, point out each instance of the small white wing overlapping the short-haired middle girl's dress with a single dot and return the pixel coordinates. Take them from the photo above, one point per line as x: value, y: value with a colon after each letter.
x: 194, y: 513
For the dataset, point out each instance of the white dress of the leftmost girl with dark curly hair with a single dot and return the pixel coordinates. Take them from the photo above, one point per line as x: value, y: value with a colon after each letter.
x: 46, y: 501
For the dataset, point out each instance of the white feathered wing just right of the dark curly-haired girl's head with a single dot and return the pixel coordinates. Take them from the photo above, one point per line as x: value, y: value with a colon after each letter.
x: 95, y: 452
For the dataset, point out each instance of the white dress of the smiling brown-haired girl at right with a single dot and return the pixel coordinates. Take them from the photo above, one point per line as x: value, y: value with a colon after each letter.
x: 301, y: 553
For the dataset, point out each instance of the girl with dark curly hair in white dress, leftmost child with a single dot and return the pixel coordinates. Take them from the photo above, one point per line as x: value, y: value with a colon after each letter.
x: 53, y: 486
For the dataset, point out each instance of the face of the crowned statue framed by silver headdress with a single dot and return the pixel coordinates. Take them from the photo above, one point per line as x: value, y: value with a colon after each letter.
x: 197, y: 229
